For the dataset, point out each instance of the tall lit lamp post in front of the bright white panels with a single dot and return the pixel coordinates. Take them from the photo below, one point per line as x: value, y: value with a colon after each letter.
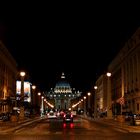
x: 21, y: 115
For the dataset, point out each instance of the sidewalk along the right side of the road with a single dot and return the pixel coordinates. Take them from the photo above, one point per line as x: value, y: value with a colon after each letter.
x: 125, y: 126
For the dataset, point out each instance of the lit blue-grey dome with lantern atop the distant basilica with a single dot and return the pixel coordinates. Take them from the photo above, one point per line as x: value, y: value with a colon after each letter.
x: 62, y: 86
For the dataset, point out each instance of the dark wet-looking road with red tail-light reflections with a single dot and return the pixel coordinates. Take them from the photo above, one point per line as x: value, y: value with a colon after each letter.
x: 80, y: 129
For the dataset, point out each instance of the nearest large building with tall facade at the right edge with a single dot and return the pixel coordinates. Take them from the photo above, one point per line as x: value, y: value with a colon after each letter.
x: 125, y: 80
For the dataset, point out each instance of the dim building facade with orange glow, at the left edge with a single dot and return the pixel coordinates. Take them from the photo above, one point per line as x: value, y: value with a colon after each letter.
x: 8, y: 72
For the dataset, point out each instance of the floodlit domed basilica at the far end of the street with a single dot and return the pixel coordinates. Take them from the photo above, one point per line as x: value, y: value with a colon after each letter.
x: 62, y: 94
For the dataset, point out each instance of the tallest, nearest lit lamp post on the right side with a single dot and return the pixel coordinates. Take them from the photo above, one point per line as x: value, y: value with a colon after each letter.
x: 109, y: 110
